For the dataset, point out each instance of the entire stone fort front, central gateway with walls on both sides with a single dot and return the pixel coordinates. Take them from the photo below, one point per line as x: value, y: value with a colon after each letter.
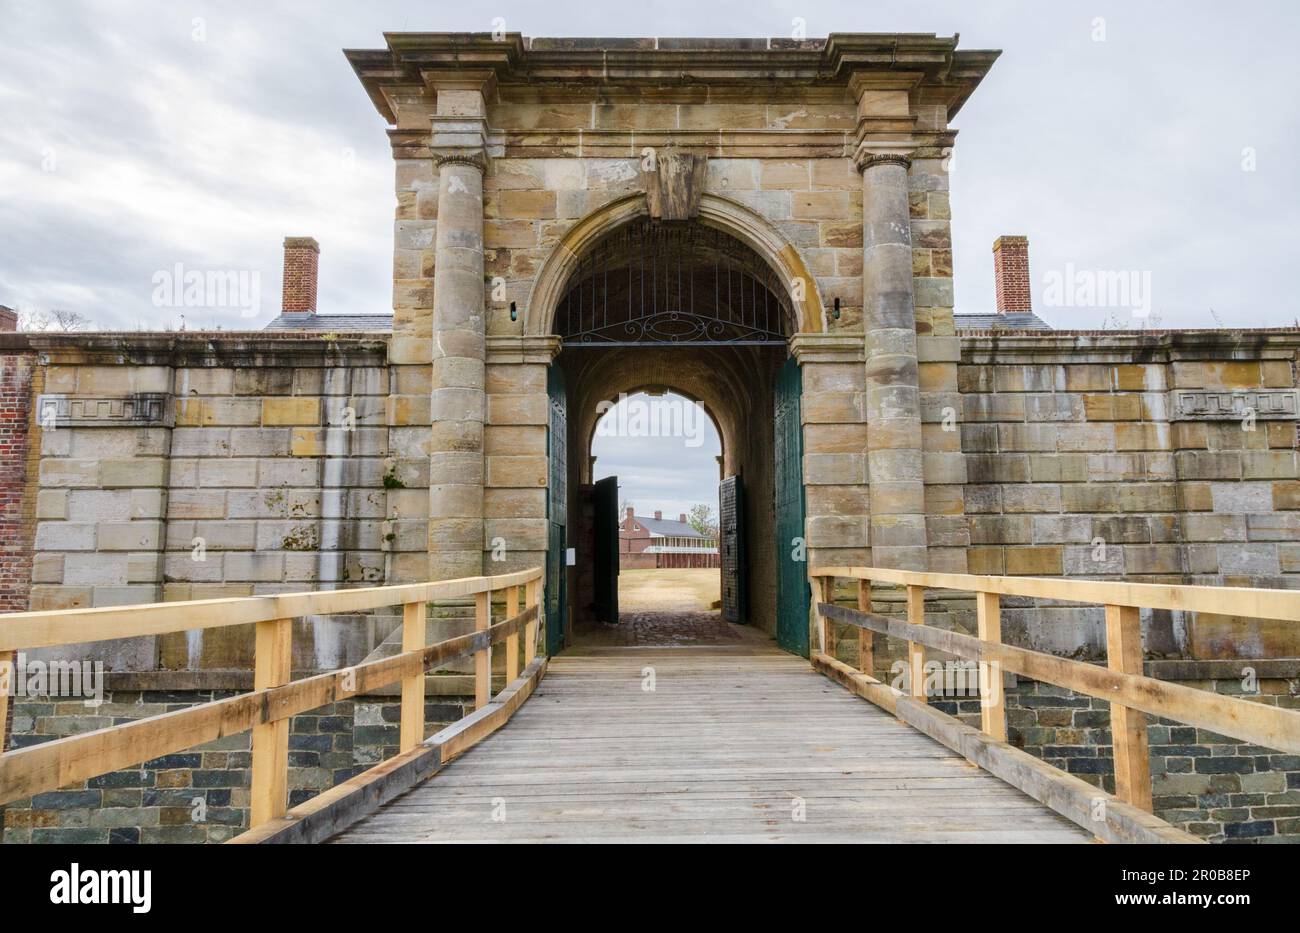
x: 761, y: 225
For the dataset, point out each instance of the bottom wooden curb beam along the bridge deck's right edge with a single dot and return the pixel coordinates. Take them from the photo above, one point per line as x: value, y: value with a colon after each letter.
x: 1076, y: 800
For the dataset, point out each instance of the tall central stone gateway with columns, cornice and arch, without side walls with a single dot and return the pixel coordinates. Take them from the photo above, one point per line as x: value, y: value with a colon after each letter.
x: 730, y: 223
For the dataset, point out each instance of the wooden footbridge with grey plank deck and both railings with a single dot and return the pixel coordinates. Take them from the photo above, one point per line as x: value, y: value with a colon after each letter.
x: 678, y: 745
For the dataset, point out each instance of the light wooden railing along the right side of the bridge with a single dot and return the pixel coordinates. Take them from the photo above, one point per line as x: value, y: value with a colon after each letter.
x: 1132, y: 695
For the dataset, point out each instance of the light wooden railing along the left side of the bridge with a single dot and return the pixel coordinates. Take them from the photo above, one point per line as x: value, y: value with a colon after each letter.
x: 267, y: 710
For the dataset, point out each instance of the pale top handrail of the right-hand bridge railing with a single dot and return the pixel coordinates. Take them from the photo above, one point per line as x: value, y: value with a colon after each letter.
x: 1229, y: 601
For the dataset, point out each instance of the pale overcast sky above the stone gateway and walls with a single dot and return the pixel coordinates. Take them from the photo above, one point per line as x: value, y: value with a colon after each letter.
x: 138, y: 138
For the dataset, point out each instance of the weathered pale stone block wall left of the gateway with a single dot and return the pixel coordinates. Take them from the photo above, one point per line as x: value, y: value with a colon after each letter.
x: 196, y: 468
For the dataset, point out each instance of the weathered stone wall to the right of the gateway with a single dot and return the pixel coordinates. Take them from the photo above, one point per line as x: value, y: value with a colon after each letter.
x: 1167, y: 458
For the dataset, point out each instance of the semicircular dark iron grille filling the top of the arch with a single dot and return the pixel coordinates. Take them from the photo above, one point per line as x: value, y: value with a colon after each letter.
x: 665, y: 283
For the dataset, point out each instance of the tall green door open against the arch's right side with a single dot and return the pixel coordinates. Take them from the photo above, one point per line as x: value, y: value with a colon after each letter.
x: 794, y: 597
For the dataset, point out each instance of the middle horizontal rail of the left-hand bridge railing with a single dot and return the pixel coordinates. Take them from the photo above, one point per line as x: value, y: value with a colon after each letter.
x: 77, y: 758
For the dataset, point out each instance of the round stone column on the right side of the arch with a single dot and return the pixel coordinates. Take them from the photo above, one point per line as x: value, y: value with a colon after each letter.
x: 895, y: 467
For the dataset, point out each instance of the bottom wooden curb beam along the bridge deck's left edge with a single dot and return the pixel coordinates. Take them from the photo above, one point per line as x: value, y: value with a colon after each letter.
x: 345, y: 805
